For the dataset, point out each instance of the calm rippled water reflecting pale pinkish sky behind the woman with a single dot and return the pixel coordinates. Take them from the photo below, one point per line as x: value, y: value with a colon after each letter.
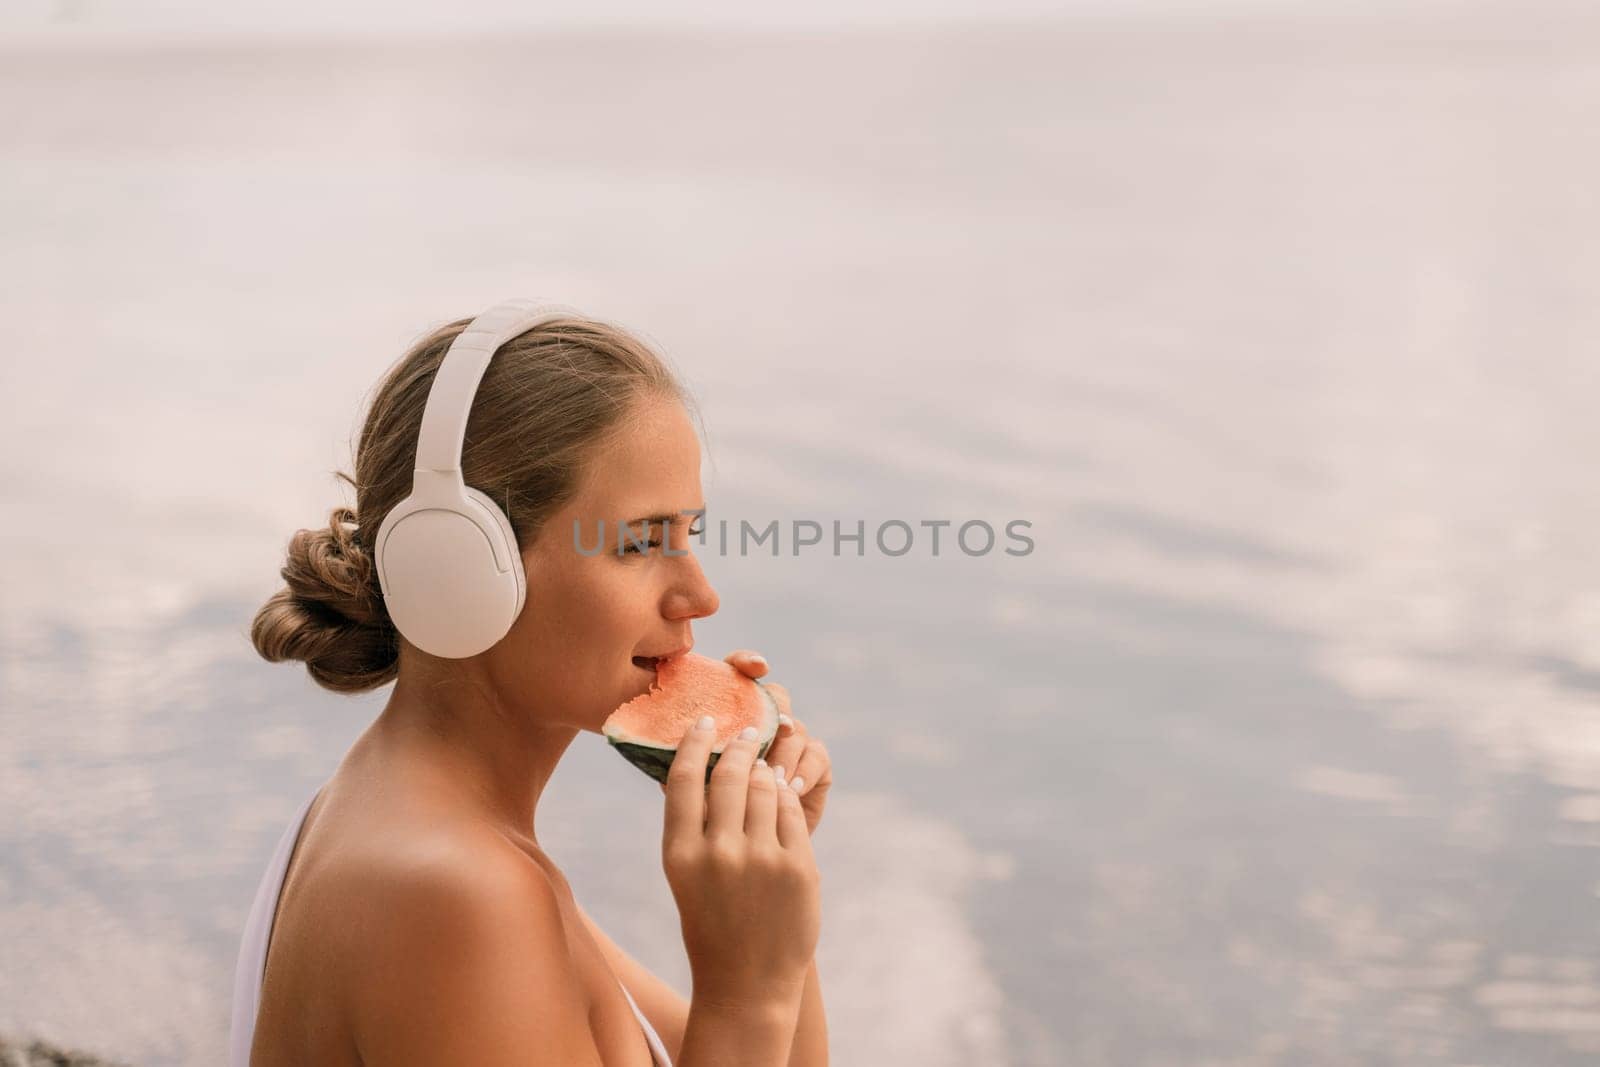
x: 1281, y: 748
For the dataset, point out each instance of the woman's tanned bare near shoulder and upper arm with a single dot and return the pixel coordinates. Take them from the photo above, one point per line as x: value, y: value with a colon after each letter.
x: 463, y: 957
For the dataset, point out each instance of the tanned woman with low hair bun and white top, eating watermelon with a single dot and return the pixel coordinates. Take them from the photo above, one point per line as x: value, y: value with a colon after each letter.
x: 410, y: 916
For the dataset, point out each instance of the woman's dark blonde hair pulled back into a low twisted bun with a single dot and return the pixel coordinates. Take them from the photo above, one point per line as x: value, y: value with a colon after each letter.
x: 548, y: 404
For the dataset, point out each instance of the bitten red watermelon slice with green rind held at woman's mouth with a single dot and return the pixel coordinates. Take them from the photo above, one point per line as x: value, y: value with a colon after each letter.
x: 647, y: 730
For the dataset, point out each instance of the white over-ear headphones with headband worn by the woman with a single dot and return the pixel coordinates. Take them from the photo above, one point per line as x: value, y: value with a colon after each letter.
x: 447, y: 557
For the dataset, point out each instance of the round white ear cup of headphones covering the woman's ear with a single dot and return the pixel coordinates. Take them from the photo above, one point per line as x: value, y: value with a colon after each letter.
x: 444, y: 586
